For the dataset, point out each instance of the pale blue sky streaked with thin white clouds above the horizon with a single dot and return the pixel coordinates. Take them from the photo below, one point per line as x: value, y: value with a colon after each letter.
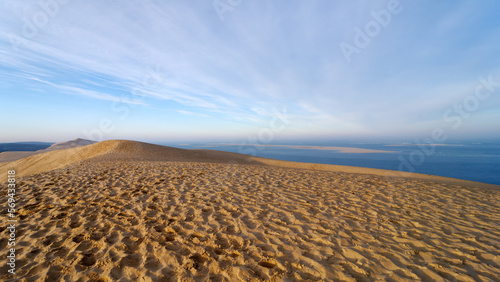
x: 235, y: 69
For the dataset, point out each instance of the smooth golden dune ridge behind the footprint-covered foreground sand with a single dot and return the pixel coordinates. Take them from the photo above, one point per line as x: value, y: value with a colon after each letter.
x: 126, y: 150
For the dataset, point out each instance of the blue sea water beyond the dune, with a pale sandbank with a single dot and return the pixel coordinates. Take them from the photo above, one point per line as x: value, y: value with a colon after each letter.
x: 474, y: 161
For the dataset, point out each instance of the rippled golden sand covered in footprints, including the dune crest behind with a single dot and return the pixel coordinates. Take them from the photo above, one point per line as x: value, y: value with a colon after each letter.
x: 106, y: 215
